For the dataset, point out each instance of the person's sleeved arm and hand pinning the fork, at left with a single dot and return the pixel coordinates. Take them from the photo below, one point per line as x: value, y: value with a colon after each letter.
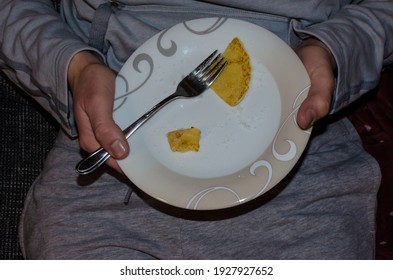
x: 44, y: 57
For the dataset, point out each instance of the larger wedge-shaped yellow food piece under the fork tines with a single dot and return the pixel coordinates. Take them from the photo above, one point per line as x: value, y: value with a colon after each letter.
x: 233, y: 82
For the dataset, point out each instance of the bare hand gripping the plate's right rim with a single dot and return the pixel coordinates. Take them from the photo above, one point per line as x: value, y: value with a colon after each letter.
x: 320, y: 66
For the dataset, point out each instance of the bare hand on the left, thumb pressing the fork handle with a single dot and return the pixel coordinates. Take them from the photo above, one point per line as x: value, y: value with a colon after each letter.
x: 92, y: 85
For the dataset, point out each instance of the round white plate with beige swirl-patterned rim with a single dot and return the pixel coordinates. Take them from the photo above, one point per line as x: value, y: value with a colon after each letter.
x: 244, y: 150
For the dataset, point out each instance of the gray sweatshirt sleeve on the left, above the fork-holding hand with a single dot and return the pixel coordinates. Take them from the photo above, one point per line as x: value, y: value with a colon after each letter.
x: 36, y: 47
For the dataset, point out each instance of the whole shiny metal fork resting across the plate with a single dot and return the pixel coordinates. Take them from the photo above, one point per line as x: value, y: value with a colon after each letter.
x: 192, y: 85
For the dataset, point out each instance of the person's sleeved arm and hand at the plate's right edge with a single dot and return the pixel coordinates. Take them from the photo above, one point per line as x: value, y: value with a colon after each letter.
x: 359, y: 45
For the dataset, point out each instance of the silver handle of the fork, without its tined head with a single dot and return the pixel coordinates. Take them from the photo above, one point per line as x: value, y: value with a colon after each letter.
x: 99, y: 156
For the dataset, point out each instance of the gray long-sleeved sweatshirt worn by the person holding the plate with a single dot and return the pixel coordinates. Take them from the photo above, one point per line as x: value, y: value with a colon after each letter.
x: 37, y: 43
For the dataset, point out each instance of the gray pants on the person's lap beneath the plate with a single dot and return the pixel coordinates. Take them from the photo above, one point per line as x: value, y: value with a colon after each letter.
x: 324, y: 209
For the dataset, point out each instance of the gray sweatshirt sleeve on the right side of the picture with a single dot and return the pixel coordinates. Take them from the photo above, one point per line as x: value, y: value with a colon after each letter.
x: 360, y: 38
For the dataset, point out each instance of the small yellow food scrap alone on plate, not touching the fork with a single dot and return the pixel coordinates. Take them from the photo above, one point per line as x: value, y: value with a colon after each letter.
x: 184, y: 140
